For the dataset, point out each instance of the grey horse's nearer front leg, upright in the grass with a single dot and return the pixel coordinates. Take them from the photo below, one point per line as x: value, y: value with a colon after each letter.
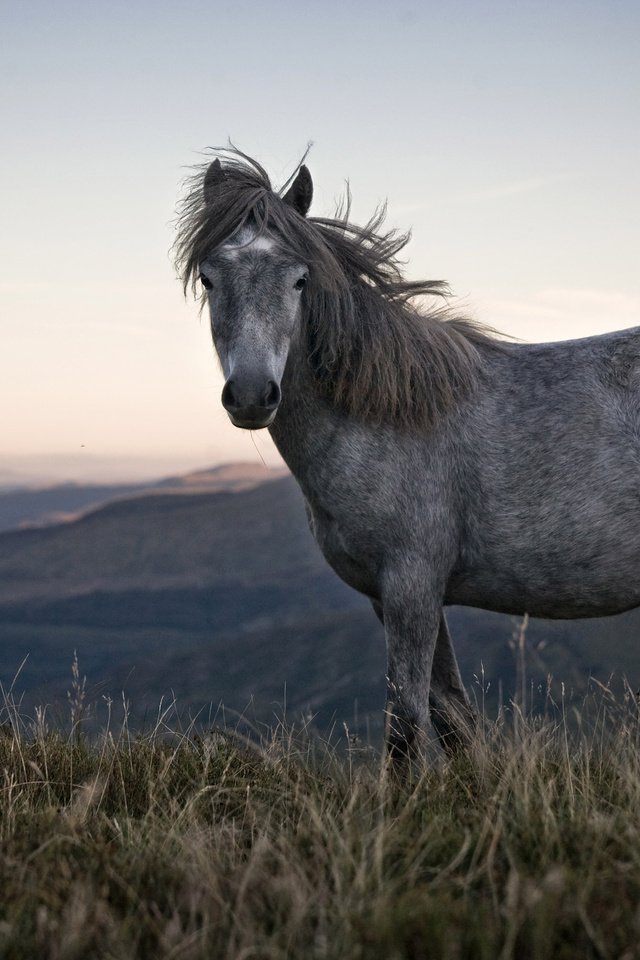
x: 411, y: 622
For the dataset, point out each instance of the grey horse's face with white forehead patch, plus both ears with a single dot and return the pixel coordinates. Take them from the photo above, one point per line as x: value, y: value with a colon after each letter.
x: 254, y: 289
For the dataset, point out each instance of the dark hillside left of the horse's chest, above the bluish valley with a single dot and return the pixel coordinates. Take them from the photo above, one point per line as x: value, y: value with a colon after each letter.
x: 159, y: 541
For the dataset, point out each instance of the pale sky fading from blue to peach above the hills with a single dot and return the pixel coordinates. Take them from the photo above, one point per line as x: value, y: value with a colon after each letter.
x: 506, y: 135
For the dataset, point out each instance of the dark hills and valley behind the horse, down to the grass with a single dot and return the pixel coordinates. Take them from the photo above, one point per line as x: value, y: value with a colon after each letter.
x: 221, y: 596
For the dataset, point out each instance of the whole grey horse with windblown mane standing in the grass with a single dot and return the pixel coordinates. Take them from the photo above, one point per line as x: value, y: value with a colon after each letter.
x: 439, y: 462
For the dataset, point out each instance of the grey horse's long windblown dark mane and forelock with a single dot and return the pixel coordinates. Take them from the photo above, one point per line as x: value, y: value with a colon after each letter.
x: 376, y: 353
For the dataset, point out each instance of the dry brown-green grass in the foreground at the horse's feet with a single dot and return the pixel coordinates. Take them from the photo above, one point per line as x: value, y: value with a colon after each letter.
x: 188, y: 844
